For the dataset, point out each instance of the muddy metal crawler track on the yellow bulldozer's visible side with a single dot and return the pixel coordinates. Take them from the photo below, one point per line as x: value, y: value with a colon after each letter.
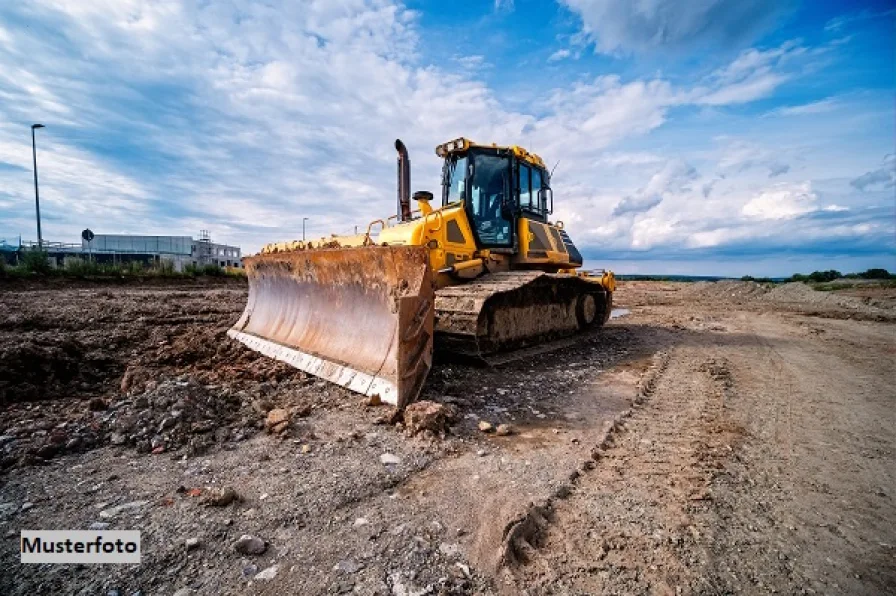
x: 528, y: 310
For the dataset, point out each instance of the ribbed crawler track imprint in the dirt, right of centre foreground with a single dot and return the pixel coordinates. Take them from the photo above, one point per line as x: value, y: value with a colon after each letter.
x: 629, y: 524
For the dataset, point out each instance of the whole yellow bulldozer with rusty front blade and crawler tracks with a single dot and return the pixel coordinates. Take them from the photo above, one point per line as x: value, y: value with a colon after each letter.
x: 485, y: 273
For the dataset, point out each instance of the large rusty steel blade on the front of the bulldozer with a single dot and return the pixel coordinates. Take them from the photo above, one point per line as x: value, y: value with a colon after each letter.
x: 359, y: 317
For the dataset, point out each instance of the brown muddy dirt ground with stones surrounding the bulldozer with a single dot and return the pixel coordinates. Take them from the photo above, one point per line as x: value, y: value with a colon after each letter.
x: 719, y: 438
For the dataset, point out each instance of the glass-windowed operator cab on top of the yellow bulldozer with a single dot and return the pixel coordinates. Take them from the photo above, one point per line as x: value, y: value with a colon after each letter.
x: 498, y: 185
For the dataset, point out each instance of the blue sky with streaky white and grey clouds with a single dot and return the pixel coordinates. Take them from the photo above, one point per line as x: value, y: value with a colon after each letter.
x: 702, y: 137
